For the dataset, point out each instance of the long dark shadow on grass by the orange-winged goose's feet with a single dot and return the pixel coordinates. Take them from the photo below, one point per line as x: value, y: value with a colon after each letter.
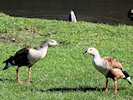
x: 67, y: 89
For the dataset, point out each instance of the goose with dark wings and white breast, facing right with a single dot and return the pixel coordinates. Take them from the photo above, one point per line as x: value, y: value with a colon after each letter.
x: 27, y: 57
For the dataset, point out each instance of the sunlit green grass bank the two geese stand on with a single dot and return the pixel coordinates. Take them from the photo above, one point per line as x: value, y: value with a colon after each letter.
x: 65, y: 73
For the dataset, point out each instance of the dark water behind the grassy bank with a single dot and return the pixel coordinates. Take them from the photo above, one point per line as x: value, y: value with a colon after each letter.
x: 105, y: 11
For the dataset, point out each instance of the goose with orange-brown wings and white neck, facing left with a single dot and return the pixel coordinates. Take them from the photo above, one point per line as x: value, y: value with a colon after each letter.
x: 109, y: 67
